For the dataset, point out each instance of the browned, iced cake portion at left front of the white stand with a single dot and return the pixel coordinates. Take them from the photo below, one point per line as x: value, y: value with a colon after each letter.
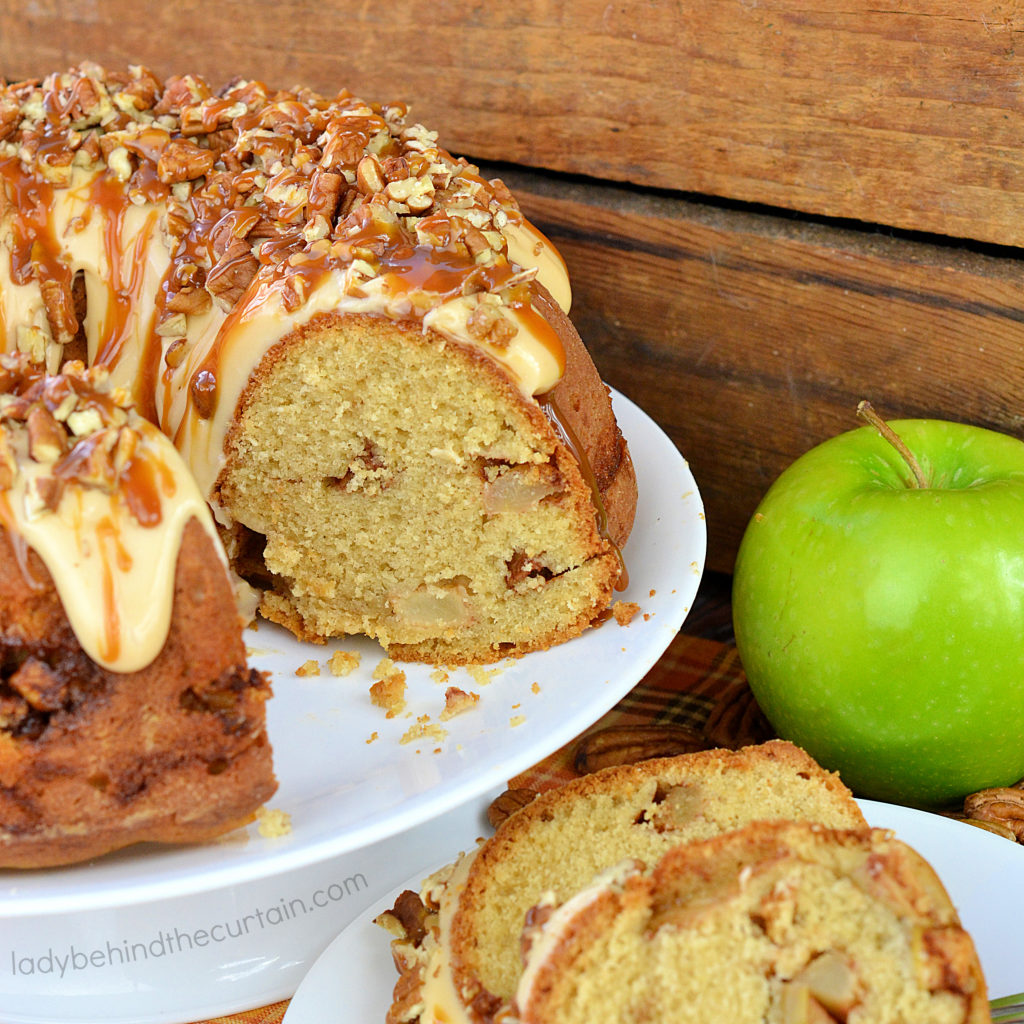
x: 127, y: 712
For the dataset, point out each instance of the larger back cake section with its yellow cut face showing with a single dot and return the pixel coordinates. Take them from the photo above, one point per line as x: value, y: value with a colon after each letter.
x: 358, y: 344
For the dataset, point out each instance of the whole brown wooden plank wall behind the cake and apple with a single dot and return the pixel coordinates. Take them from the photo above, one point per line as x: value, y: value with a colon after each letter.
x: 770, y: 209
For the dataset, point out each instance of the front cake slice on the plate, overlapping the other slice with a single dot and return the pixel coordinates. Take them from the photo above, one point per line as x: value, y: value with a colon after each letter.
x: 778, y: 923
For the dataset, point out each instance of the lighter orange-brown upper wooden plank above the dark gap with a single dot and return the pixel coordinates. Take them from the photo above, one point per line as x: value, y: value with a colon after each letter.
x: 907, y: 114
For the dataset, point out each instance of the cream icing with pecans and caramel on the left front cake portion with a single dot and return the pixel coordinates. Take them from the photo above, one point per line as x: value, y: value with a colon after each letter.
x: 103, y: 498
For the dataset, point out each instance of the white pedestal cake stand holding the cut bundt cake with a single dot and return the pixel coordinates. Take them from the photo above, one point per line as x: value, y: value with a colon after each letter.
x: 349, y: 795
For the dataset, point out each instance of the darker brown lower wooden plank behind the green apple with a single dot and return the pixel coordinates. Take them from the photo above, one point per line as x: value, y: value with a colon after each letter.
x: 751, y: 338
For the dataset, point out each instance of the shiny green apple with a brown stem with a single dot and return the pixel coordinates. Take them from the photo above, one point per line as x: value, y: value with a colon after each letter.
x: 880, y: 618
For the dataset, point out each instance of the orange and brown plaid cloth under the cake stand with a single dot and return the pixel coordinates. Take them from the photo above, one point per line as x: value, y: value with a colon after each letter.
x: 698, y: 686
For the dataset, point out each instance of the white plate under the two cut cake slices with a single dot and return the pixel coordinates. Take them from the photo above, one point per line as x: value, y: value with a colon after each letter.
x: 982, y: 872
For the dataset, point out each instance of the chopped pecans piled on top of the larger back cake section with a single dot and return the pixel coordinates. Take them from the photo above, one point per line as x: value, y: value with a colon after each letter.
x: 332, y: 181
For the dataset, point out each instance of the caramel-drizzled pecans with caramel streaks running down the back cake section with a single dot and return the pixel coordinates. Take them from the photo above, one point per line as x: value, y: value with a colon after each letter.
x: 270, y: 142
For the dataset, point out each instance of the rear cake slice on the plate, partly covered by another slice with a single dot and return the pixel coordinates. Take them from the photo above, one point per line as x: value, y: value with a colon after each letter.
x: 458, y: 942
